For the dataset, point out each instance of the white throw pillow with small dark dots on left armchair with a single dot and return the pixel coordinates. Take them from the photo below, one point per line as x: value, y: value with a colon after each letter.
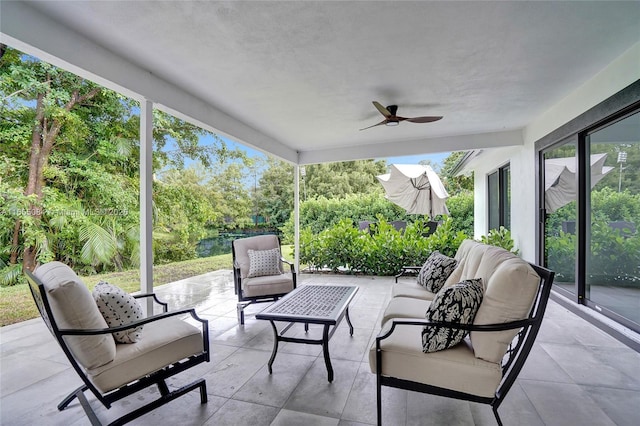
x: 118, y: 308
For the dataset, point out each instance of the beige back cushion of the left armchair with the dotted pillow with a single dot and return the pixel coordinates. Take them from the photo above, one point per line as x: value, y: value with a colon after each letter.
x: 73, y: 307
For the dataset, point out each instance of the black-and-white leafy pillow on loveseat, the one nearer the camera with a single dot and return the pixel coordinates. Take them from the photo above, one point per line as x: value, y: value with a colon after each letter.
x: 457, y: 304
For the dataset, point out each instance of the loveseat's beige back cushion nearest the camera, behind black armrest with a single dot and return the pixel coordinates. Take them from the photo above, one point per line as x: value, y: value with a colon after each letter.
x: 509, y: 296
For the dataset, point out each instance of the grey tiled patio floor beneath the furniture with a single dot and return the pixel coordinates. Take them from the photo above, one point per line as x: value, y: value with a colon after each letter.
x: 576, y: 374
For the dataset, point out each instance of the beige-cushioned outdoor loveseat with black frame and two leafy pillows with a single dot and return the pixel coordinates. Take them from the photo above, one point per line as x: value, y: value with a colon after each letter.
x: 510, y: 296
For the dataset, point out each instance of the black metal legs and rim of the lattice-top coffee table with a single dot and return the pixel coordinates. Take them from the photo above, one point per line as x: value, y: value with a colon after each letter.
x: 330, y: 325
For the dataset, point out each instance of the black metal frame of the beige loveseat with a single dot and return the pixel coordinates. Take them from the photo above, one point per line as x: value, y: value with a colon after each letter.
x: 512, y: 362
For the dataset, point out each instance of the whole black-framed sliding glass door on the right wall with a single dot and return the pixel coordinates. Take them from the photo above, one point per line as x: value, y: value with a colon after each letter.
x: 591, y: 184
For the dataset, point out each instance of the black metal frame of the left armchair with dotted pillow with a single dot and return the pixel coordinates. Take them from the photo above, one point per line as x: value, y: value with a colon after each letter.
x: 157, y: 378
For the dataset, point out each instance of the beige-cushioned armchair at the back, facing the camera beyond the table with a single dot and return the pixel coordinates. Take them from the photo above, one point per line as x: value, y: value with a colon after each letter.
x: 258, y: 272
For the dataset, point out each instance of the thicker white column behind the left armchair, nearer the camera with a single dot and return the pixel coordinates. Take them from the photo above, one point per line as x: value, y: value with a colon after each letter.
x: 146, y: 182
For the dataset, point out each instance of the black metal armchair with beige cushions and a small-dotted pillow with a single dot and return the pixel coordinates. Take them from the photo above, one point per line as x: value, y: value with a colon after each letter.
x: 163, y: 344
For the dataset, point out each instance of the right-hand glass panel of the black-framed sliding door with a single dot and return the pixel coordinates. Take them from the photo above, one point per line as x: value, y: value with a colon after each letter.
x: 613, y: 208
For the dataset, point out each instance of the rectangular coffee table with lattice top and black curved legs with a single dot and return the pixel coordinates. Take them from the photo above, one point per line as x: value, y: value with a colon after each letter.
x: 310, y: 304
